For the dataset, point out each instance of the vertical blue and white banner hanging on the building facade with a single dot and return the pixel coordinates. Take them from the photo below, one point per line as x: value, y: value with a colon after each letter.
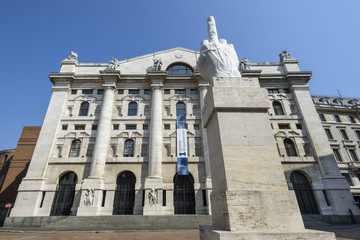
x: 182, y: 152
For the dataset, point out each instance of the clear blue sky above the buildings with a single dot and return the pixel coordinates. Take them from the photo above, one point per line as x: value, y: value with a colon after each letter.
x: 37, y: 35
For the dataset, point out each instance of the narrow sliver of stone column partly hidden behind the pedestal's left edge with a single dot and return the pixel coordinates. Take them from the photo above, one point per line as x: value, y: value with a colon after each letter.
x: 203, y: 88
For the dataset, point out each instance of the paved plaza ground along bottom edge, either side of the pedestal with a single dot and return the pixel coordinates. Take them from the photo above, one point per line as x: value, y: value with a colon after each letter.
x: 343, y: 232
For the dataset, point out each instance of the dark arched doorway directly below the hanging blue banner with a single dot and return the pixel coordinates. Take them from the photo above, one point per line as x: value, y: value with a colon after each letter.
x: 184, y: 194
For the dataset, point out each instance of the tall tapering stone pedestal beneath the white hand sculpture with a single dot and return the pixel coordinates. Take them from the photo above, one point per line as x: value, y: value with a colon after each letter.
x: 250, y: 198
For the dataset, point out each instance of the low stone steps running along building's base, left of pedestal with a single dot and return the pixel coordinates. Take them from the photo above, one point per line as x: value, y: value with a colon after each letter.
x: 120, y: 222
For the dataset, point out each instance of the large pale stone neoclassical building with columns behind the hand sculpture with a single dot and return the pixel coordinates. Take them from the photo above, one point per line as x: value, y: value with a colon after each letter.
x: 108, y: 144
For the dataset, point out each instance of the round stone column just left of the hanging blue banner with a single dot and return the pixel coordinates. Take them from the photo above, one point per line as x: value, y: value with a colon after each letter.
x: 154, y: 179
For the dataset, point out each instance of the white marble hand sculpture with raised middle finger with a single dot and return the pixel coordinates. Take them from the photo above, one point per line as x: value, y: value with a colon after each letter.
x: 217, y: 58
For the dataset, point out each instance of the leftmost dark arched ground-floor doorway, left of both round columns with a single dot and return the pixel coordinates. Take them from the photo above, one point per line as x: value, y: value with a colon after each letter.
x: 64, y: 196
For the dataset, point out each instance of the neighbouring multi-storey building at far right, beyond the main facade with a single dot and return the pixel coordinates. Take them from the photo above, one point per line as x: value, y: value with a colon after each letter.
x: 340, y: 119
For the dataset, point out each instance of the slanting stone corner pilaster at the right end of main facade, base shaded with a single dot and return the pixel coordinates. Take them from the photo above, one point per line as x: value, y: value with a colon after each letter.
x: 338, y: 189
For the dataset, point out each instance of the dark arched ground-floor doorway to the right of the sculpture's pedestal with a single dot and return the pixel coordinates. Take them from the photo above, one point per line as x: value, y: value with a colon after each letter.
x: 304, y: 193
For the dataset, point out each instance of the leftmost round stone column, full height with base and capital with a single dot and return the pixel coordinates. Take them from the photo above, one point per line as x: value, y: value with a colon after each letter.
x: 95, y: 181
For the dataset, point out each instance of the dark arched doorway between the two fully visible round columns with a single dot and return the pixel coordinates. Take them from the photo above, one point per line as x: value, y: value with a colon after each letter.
x: 124, y: 200
